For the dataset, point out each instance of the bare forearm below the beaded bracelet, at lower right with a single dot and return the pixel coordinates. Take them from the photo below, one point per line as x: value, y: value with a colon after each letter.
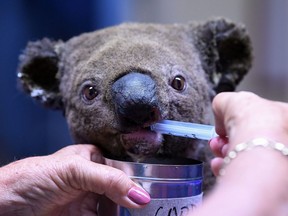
x: 259, y: 188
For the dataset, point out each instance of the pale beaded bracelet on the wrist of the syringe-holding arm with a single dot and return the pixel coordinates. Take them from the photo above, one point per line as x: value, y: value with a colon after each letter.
x: 245, y: 146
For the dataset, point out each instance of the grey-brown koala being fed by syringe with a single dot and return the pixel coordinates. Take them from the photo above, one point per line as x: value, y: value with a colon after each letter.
x: 113, y: 84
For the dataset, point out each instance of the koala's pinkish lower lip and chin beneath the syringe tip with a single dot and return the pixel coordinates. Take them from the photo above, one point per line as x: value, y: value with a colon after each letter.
x: 141, y: 143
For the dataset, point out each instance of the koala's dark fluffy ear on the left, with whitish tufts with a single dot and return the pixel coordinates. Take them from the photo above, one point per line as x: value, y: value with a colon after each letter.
x: 38, y: 72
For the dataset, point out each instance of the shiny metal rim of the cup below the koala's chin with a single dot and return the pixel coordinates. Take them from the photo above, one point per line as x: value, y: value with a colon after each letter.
x: 160, y: 169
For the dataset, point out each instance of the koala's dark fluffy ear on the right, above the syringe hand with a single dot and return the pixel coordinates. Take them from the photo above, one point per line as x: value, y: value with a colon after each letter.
x: 226, y: 52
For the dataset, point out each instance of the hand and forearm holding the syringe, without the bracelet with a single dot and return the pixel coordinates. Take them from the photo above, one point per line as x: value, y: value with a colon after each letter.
x: 255, y: 182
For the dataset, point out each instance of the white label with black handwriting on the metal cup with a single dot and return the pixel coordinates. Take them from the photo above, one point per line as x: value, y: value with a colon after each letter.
x: 169, y: 207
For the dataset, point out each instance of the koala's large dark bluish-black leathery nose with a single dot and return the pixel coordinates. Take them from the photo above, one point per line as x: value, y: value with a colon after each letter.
x: 135, y: 99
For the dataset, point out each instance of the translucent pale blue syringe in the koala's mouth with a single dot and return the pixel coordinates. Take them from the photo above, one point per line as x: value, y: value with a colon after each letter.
x: 185, y: 129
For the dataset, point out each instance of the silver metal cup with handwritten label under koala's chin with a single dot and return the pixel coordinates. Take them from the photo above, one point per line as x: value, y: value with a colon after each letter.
x: 175, y: 187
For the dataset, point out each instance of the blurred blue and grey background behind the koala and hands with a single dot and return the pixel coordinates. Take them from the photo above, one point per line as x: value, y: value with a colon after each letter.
x: 27, y: 129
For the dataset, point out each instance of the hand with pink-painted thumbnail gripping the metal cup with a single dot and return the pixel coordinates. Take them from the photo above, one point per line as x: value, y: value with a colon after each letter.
x: 68, y: 182
